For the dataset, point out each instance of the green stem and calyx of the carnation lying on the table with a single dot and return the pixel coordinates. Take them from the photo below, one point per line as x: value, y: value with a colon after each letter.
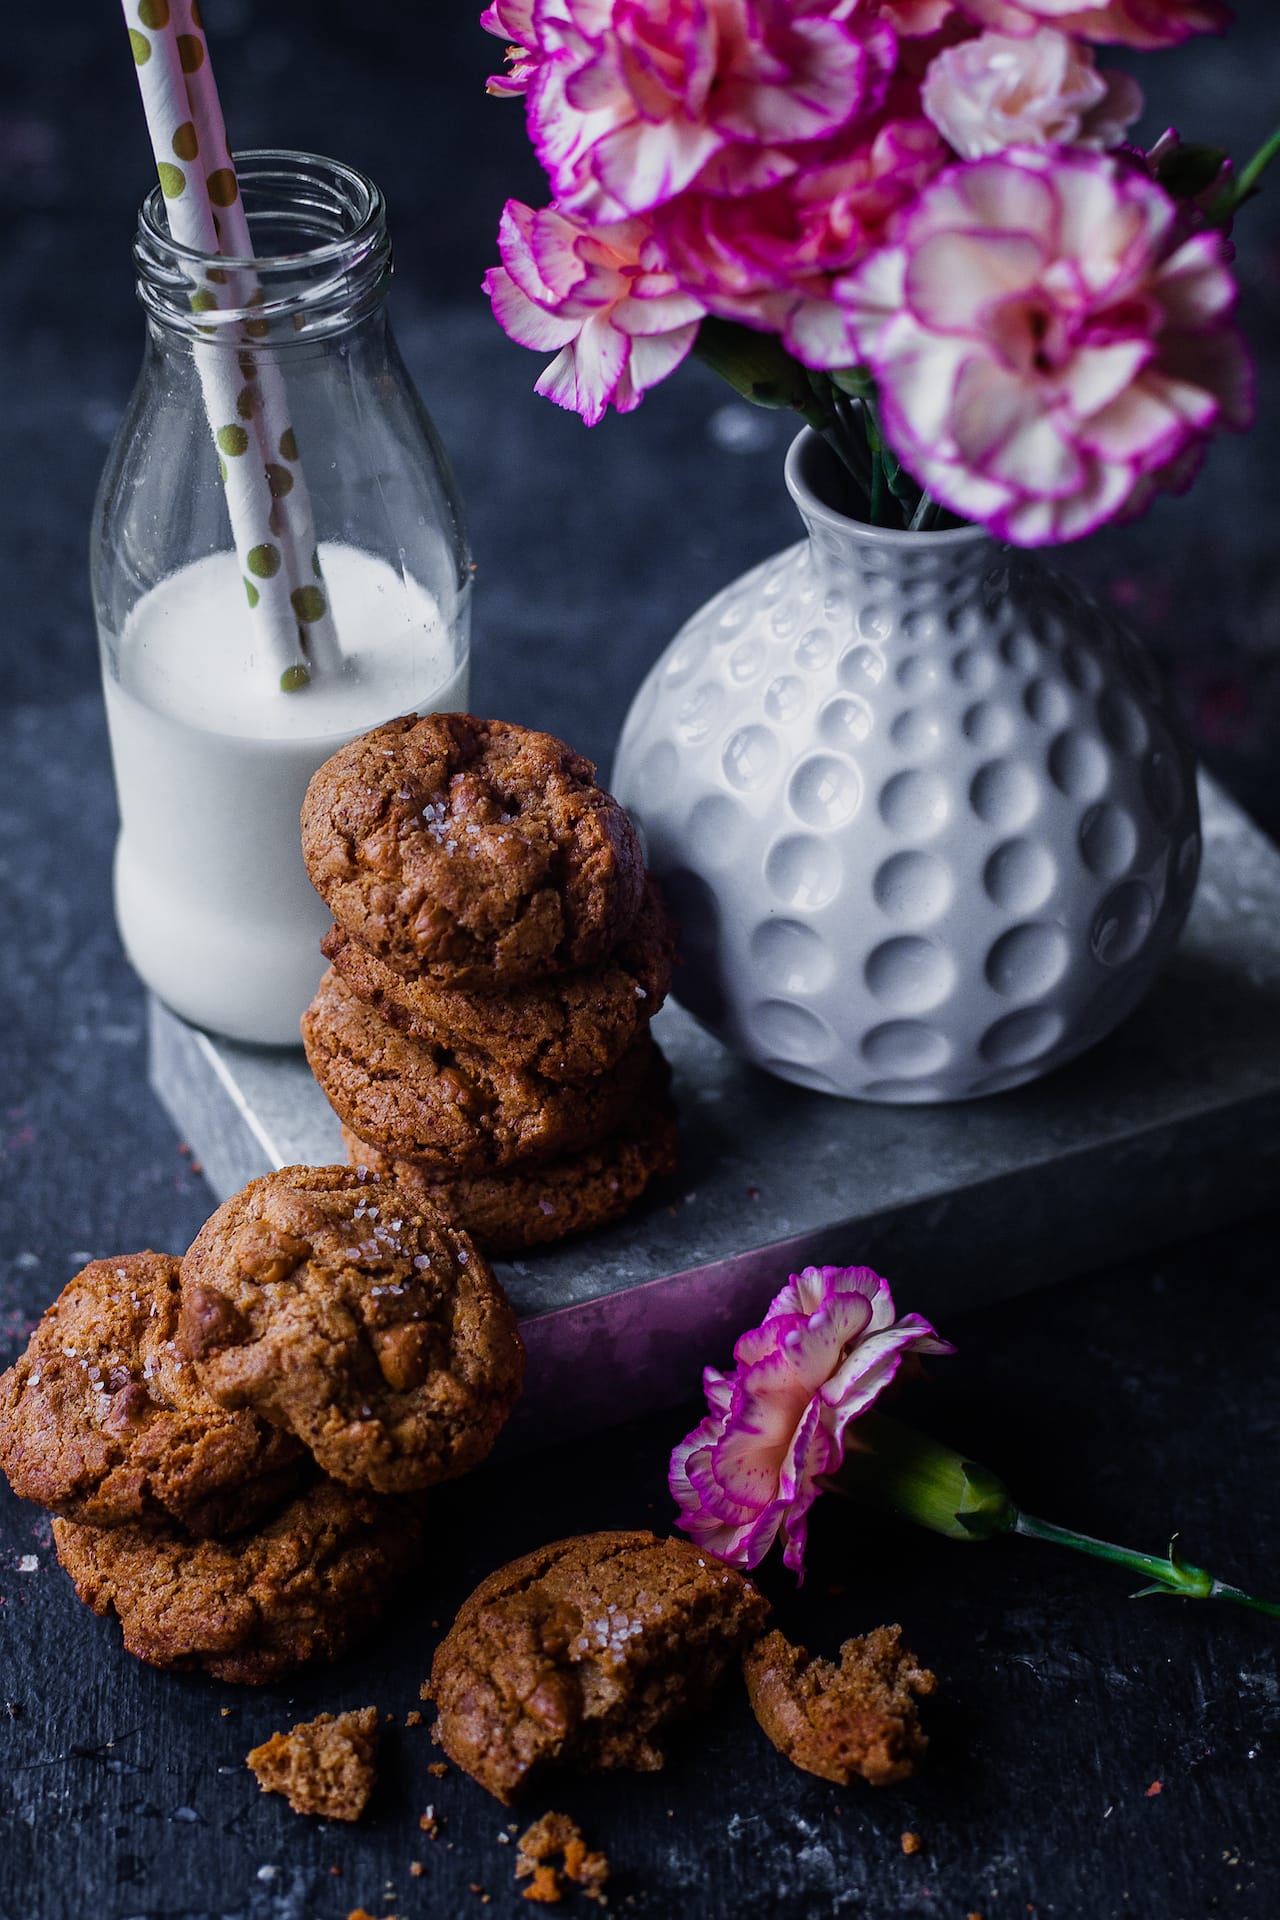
x: 893, y: 1468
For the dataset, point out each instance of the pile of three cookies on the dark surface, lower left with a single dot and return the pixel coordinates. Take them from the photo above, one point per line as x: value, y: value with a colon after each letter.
x: 235, y: 1443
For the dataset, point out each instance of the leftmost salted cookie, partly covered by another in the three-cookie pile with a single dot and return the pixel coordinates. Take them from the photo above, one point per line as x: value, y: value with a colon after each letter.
x: 105, y: 1422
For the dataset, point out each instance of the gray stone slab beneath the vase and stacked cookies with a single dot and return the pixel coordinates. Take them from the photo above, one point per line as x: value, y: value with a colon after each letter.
x: 1166, y: 1130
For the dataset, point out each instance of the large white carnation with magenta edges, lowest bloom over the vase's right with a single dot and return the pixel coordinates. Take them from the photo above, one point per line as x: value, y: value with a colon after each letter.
x: 1047, y: 343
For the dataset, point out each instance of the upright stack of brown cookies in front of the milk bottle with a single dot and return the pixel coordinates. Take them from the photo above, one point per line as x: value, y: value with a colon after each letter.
x: 496, y: 961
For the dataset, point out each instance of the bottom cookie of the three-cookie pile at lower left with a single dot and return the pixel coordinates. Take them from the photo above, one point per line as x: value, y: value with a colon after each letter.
x: 302, y: 1589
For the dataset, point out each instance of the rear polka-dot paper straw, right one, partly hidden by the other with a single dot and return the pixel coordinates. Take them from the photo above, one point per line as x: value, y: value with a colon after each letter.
x: 266, y: 391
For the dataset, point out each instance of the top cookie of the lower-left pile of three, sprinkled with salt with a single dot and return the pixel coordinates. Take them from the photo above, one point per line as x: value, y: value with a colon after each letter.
x: 358, y: 1320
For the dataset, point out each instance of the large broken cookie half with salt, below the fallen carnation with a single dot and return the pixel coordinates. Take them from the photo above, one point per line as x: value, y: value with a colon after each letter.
x: 584, y: 1654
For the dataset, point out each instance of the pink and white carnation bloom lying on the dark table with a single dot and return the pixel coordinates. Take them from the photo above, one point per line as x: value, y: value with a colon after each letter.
x: 828, y: 1349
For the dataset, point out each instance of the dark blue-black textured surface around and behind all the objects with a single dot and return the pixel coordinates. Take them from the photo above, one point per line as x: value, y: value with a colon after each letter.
x: 1093, y: 1758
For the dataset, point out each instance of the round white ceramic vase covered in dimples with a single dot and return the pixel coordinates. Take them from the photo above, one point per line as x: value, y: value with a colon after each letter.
x: 920, y: 807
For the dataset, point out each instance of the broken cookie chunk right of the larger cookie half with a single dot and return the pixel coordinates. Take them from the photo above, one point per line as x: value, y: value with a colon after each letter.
x: 857, y: 1719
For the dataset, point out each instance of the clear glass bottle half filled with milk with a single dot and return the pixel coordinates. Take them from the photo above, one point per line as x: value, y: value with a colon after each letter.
x: 214, y: 738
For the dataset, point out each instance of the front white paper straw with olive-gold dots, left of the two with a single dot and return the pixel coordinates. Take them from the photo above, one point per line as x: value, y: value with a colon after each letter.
x: 162, y: 57
